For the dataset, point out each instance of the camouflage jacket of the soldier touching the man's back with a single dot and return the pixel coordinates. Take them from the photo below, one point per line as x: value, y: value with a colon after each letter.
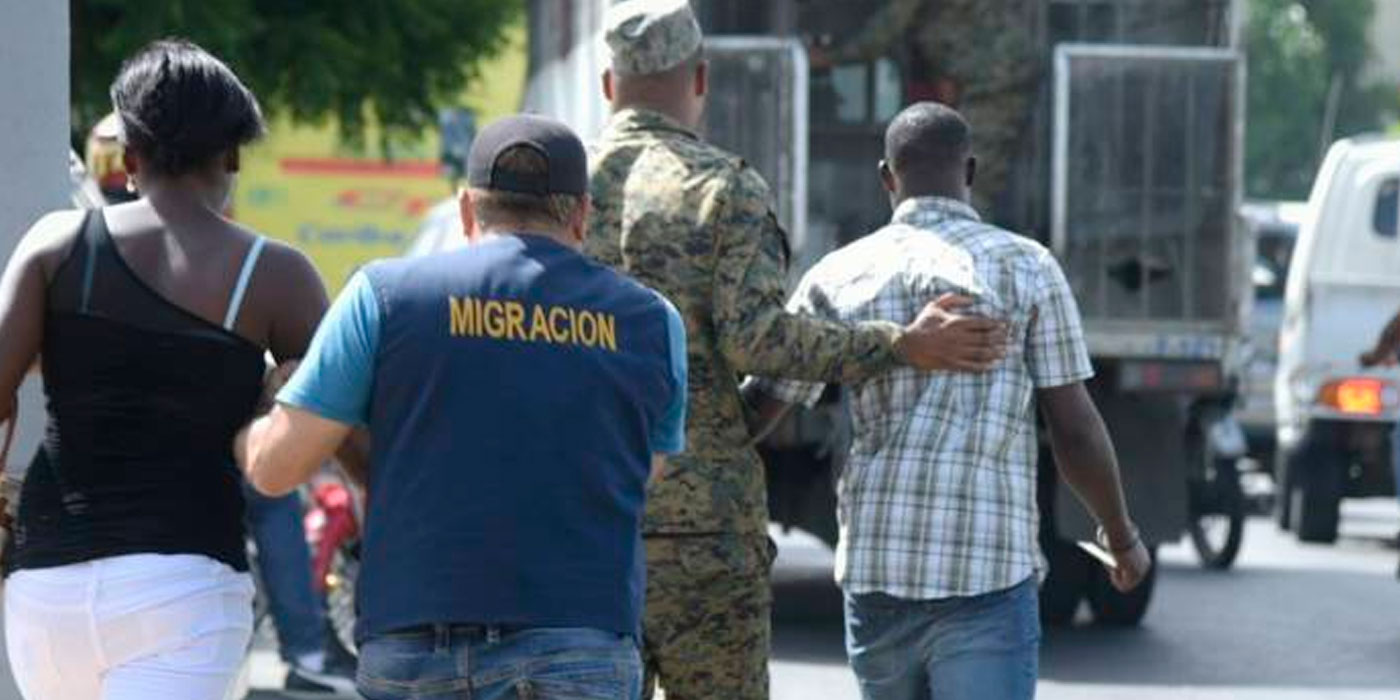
x: 695, y: 223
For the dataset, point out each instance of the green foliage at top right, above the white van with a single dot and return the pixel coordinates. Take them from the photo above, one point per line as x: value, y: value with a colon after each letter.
x: 1297, y: 50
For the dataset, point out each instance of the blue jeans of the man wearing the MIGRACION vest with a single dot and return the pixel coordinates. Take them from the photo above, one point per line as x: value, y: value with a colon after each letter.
x: 472, y: 663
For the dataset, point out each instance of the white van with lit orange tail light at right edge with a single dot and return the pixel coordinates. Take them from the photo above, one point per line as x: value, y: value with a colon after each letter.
x: 1335, y: 419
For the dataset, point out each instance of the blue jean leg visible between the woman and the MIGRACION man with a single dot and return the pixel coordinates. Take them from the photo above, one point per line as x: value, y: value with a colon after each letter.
x: 285, y: 566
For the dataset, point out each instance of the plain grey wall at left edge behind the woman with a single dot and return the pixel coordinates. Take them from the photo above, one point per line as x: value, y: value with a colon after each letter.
x: 34, y: 146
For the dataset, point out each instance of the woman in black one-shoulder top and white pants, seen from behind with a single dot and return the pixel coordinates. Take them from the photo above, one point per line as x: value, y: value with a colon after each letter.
x: 153, y: 320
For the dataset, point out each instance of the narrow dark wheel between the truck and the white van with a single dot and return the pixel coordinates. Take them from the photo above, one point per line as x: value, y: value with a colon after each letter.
x: 1217, y: 505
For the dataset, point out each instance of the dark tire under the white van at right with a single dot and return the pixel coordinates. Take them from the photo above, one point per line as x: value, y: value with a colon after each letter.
x: 1317, y: 479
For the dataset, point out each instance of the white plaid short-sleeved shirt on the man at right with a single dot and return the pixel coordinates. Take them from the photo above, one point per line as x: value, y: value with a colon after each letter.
x: 939, y: 498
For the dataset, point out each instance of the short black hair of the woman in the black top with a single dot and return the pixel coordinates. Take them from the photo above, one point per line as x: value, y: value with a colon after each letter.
x: 181, y: 107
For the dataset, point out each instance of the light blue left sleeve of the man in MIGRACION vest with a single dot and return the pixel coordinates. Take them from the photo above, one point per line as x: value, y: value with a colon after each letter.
x: 337, y: 379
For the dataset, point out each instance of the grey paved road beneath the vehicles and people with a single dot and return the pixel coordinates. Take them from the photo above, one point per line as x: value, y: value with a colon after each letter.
x: 1290, y: 622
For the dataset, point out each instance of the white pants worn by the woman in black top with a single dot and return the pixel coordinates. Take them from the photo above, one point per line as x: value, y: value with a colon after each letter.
x: 131, y: 628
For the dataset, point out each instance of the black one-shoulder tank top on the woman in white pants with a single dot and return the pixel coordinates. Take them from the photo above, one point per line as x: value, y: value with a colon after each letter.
x: 143, y: 400
